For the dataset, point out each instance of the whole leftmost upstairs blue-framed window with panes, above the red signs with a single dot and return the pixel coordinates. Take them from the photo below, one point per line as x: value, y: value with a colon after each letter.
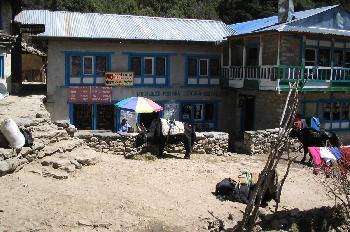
x: 86, y: 68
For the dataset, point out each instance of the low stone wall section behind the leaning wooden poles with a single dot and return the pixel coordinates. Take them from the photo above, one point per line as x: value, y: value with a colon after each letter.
x: 261, y: 141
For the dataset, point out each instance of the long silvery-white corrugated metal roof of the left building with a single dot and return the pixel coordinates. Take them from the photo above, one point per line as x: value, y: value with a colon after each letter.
x: 111, y: 26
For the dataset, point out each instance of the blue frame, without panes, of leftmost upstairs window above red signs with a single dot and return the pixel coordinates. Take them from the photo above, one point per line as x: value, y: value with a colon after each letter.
x: 81, y: 54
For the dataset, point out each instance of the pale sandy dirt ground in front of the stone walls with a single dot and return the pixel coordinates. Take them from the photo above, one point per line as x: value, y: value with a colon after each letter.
x: 128, y: 195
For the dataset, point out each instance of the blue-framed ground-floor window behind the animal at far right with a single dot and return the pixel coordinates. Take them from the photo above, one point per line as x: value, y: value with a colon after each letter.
x: 333, y: 113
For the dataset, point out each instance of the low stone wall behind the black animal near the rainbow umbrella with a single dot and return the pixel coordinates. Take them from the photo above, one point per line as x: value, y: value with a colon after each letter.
x: 215, y: 143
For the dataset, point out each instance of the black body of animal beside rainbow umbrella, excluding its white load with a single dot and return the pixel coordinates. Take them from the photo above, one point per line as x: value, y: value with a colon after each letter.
x: 156, y: 137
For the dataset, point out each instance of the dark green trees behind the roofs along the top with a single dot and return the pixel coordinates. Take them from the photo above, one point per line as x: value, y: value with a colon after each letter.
x: 230, y: 11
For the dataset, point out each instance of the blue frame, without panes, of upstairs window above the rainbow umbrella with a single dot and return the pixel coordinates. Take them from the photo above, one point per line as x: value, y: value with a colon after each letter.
x: 154, y: 76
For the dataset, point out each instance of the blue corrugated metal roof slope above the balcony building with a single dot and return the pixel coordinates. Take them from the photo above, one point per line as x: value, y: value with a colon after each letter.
x: 271, y: 23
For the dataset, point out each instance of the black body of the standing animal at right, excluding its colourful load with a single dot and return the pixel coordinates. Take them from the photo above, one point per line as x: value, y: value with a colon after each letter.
x: 310, y: 137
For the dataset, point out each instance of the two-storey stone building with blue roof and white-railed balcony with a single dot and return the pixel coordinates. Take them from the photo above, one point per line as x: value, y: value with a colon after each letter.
x: 265, y: 55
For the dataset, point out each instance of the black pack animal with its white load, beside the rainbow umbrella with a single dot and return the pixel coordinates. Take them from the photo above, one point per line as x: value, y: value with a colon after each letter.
x: 160, y: 134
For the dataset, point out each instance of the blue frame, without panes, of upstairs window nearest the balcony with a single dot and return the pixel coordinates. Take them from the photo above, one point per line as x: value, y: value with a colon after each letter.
x: 198, y: 57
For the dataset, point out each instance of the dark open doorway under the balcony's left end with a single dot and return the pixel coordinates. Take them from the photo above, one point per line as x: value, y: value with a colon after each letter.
x: 247, y: 112
